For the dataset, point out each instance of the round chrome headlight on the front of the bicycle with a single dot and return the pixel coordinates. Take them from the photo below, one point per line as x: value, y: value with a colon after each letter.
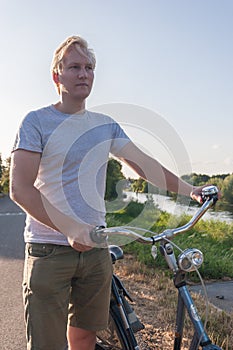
x: 190, y: 260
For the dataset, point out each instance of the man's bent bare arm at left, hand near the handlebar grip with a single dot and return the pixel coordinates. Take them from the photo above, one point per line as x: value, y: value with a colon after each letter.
x: 24, y: 170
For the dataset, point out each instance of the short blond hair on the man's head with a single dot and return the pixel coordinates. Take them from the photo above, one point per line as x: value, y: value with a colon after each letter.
x: 80, y: 45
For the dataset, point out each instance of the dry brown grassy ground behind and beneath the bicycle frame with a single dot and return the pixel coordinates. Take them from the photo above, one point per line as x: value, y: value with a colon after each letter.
x: 155, y: 301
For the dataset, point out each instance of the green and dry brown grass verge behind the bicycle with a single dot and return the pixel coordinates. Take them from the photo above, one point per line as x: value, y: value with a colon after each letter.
x: 150, y: 280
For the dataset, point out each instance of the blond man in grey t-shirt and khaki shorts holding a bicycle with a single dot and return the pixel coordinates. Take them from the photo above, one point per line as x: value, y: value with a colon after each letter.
x: 58, y: 173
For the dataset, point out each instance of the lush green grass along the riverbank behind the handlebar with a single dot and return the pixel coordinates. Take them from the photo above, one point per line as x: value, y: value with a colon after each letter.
x: 213, y: 238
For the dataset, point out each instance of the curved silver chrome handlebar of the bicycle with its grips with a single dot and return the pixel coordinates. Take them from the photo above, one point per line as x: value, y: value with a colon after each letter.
x: 209, y: 195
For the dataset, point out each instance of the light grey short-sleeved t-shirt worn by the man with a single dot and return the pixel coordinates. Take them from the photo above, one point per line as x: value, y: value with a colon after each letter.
x: 72, y: 173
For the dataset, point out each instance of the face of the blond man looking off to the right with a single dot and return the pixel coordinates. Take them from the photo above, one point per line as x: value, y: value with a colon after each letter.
x: 77, y: 75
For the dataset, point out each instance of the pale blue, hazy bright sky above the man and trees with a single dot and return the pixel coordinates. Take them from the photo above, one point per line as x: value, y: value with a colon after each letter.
x: 164, y: 71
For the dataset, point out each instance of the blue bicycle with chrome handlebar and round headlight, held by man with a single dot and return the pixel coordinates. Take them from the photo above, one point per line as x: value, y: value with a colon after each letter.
x: 123, y: 322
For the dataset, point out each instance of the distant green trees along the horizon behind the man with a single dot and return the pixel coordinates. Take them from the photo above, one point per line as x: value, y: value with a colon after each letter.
x: 116, y: 182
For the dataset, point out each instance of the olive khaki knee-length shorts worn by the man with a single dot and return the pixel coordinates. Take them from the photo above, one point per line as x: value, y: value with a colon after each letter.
x: 62, y: 286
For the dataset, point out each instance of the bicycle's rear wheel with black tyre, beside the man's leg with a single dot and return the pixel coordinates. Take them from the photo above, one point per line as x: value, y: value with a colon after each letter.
x: 114, y: 337
